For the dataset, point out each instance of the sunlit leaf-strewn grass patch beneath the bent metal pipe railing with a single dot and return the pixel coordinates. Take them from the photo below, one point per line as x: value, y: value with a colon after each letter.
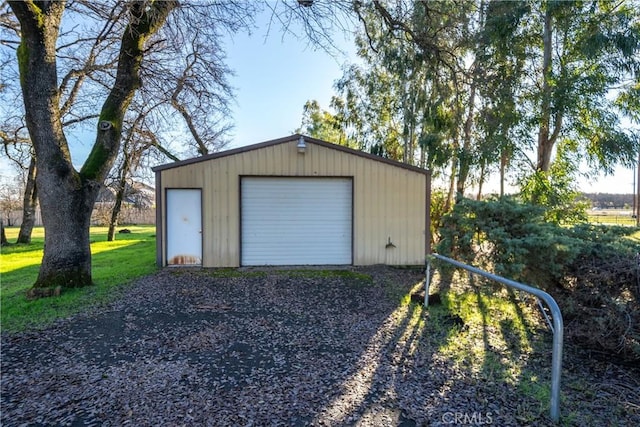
x: 489, y: 335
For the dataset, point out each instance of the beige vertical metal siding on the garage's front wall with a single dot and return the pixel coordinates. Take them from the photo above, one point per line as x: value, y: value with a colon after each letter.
x: 380, y: 191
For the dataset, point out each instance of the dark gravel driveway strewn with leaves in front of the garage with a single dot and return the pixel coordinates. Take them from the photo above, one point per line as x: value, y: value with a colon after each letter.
x: 196, y: 347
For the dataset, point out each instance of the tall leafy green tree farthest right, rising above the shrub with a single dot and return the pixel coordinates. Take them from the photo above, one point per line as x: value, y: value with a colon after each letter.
x: 588, y: 49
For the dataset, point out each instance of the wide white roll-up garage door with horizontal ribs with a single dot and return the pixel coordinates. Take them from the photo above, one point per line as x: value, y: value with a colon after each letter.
x: 296, y: 221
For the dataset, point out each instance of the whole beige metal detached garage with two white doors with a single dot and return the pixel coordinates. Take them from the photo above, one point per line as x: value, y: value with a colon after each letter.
x: 291, y: 201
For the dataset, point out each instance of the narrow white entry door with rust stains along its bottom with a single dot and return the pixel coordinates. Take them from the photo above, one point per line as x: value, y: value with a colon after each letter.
x: 184, y: 226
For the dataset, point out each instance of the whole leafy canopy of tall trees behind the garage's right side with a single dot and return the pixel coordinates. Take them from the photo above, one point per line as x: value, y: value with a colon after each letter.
x: 485, y: 85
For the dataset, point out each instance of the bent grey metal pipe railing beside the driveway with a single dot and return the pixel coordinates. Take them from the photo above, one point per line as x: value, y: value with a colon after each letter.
x: 556, y: 359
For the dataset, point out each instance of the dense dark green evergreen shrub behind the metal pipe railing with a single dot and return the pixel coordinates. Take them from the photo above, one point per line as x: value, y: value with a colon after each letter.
x: 591, y: 270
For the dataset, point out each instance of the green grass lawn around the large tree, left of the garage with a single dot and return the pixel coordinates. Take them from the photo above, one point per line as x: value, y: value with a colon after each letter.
x: 114, y: 264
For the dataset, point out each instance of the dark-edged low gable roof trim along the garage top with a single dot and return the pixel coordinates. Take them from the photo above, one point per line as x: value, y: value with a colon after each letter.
x: 286, y: 139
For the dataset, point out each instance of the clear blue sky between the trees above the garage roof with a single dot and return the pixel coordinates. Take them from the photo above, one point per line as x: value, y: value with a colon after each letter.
x: 274, y: 77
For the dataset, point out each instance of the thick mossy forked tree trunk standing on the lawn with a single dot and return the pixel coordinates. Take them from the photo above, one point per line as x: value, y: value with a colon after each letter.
x: 67, y: 196
